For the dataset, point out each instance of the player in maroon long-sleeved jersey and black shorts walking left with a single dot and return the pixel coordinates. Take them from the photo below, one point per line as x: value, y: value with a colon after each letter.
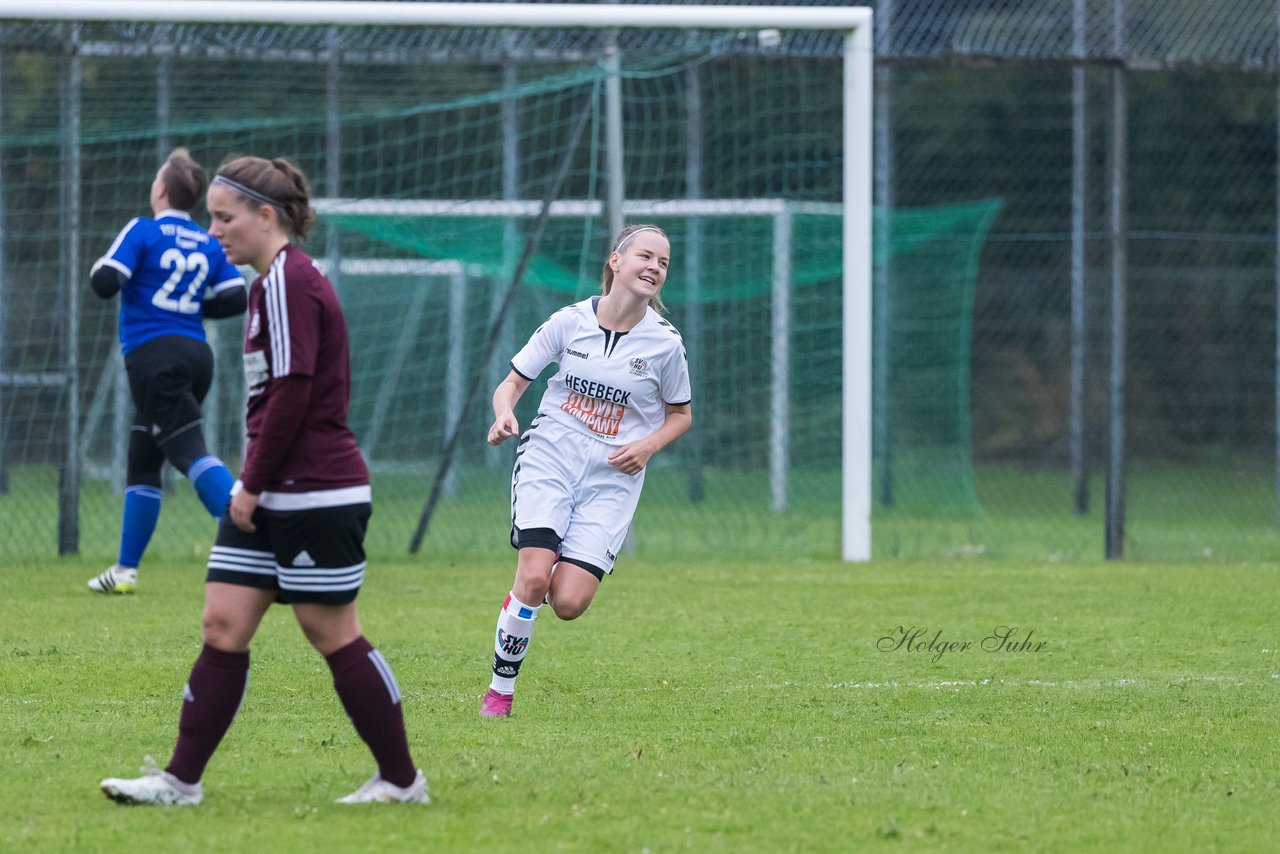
x: 296, y: 527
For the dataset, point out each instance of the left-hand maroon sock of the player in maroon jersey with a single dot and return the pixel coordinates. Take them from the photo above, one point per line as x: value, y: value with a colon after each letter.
x: 214, y: 693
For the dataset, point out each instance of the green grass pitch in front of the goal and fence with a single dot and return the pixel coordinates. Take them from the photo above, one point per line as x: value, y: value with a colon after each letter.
x: 714, y: 706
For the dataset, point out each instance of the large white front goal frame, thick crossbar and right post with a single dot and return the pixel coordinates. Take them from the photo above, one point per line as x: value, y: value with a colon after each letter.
x: 854, y: 22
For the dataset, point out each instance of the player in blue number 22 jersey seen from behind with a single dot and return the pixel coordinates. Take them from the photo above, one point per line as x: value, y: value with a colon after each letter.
x: 171, y: 276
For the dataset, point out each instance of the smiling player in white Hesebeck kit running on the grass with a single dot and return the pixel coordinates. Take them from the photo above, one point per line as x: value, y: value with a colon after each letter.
x: 621, y: 395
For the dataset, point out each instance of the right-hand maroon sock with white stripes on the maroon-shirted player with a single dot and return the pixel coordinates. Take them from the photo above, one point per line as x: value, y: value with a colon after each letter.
x: 368, y: 691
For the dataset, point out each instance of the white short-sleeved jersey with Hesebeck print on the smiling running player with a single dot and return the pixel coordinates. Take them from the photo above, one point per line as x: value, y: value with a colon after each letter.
x: 610, y: 386
